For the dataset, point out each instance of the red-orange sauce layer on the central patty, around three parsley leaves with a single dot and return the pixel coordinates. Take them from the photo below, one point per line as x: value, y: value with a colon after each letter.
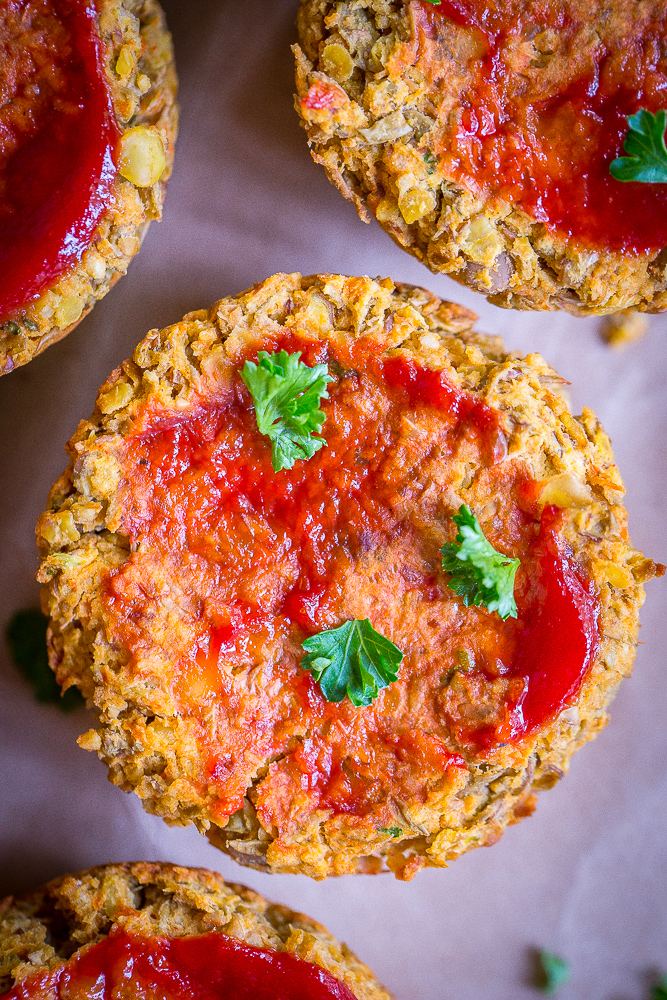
x: 253, y: 561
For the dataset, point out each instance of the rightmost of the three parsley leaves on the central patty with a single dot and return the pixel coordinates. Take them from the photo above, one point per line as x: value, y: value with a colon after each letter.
x: 478, y: 572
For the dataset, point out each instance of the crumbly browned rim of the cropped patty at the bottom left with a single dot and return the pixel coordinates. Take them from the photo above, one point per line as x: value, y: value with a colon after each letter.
x: 42, y: 930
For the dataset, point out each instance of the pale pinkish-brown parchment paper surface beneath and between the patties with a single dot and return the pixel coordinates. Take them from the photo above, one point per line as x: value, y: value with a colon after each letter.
x: 587, y: 875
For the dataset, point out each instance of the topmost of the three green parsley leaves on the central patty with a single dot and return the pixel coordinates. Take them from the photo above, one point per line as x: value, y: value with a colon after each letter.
x: 287, y: 394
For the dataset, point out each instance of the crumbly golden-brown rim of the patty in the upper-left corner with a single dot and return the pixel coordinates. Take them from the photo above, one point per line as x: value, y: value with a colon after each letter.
x: 139, y: 63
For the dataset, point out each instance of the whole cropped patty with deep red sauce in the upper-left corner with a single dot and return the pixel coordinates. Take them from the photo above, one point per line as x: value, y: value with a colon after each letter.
x: 88, y: 121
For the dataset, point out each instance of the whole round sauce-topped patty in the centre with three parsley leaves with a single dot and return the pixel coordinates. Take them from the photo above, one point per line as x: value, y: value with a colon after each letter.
x: 186, y: 579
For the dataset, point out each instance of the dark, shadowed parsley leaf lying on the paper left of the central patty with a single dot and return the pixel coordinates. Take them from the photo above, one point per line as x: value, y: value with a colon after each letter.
x: 26, y: 638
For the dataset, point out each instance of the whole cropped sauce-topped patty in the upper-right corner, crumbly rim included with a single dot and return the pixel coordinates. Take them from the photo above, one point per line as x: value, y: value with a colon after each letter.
x: 480, y: 136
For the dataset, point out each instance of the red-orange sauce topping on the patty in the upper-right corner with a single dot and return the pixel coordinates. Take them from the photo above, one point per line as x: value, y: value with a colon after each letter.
x: 548, y: 150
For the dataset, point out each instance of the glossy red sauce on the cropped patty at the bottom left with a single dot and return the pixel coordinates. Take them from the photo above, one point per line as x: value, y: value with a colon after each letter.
x: 211, y: 967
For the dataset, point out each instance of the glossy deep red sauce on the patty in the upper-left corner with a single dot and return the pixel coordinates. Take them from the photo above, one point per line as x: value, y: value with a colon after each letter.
x: 58, y: 137
